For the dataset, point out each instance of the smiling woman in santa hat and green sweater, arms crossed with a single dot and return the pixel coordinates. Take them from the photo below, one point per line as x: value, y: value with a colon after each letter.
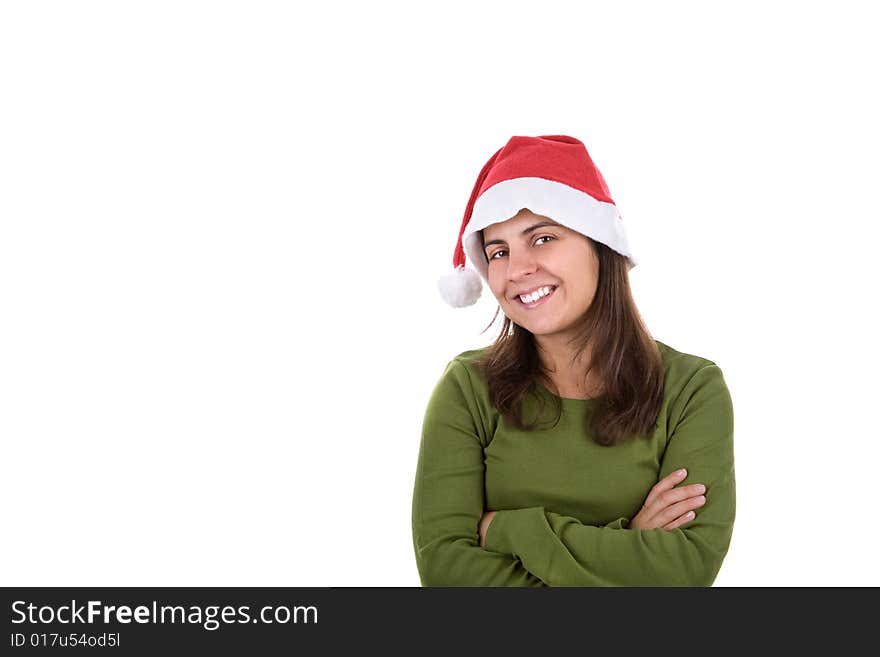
x: 576, y: 450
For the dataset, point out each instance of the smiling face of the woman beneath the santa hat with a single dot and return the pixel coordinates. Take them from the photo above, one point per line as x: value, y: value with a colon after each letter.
x: 530, y: 253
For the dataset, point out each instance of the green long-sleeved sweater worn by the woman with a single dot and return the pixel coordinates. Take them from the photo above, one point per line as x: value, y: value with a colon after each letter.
x: 564, y: 502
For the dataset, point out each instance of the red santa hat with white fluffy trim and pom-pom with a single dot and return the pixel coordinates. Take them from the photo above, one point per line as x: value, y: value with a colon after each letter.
x: 552, y: 176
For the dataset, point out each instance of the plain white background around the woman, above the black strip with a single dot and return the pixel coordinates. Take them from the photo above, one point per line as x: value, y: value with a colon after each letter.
x: 223, y: 222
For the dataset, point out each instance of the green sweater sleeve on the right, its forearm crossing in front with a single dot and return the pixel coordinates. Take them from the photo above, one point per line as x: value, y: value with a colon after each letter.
x: 560, y: 550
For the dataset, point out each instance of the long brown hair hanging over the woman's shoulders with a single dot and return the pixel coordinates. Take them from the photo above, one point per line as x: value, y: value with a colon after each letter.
x: 625, y: 359
